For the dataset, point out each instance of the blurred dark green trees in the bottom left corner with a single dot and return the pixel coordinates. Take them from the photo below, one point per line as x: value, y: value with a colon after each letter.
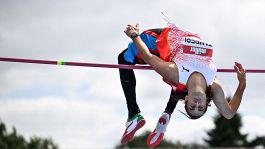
x: 13, y: 140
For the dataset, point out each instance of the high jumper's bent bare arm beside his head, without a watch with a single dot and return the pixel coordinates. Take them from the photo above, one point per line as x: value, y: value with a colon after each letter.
x: 228, y: 110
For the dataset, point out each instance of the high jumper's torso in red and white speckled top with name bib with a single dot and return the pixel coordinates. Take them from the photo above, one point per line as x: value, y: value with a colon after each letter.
x: 189, y: 53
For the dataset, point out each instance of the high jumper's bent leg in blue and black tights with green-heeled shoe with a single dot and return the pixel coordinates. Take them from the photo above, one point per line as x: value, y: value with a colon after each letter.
x: 130, y: 56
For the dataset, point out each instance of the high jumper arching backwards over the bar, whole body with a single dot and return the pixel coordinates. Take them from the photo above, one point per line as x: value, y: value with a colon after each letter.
x: 184, y: 61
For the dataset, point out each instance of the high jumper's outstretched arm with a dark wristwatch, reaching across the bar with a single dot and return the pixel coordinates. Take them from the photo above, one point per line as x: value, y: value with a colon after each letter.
x: 168, y: 70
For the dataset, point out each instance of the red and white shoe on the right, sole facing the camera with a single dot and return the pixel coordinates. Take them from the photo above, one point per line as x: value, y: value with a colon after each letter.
x: 157, y: 135
